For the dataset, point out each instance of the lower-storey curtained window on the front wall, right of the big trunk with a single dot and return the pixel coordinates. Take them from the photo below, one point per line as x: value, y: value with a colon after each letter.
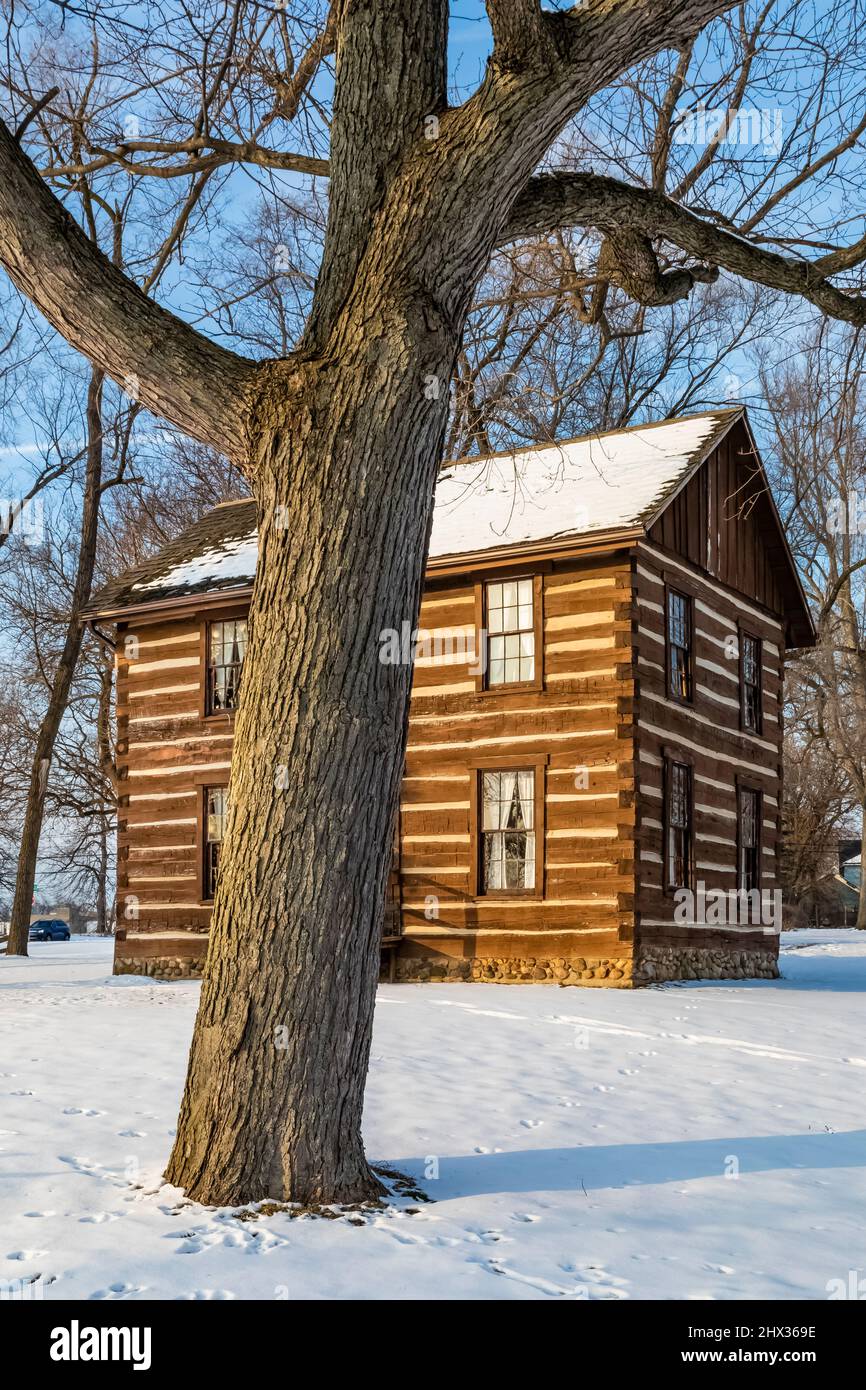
x: 508, y: 831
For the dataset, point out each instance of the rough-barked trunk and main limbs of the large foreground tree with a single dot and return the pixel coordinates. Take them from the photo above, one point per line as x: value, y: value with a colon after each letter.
x: 341, y: 445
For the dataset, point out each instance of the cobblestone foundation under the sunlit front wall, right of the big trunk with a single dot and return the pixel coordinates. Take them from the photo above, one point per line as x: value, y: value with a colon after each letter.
x: 614, y: 972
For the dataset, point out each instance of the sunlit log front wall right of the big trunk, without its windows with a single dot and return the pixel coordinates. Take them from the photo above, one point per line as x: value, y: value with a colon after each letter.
x: 582, y: 722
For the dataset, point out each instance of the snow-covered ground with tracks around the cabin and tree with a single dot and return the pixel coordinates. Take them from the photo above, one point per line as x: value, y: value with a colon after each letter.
x: 585, y: 1140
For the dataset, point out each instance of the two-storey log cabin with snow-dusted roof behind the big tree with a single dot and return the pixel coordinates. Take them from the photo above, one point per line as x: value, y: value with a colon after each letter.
x: 594, y: 774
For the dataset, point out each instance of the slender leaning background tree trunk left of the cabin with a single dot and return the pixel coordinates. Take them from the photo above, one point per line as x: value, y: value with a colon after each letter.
x: 62, y: 685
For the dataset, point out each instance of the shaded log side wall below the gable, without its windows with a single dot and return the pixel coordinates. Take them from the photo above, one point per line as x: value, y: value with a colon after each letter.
x: 710, y: 736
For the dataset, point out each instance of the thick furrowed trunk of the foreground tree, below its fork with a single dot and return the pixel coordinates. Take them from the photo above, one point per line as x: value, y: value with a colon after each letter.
x: 275, y: 1092
